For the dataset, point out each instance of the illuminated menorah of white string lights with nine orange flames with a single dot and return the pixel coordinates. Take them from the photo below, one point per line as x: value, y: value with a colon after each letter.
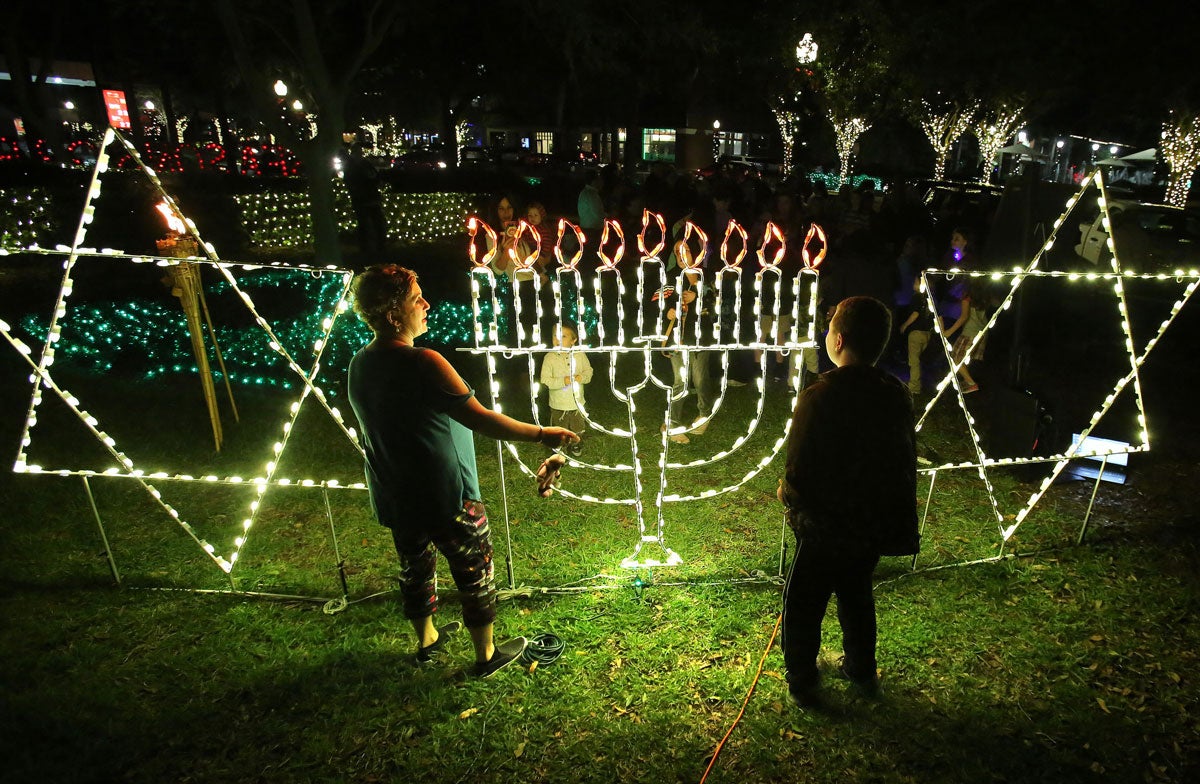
x: 617, y: 315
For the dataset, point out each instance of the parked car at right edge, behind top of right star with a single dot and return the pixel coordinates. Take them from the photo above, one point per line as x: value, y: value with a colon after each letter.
x: 1149, y: 238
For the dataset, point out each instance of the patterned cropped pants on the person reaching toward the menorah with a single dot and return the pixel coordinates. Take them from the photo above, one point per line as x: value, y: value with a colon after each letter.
x: 467, y: 547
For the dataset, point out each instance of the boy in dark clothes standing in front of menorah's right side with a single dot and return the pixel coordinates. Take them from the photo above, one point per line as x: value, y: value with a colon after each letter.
x: 850, y: 492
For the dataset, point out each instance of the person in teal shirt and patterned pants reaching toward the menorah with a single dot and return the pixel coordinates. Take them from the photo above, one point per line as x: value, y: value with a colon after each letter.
x: 417, y: 416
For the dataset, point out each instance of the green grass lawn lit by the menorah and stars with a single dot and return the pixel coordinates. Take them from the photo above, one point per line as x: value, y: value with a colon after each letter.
x: 1073, y: 665
